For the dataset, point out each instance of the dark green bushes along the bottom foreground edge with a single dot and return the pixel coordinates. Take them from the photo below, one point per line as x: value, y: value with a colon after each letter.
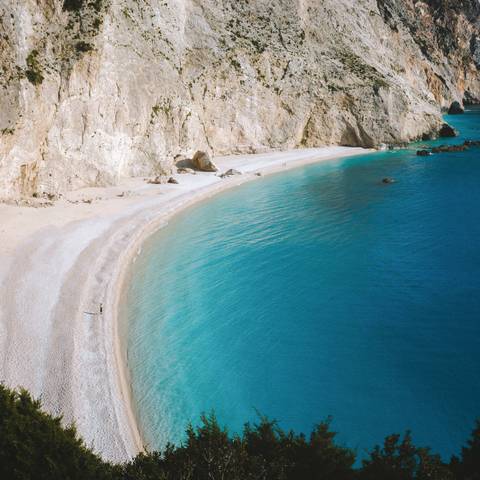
x: 34, y: 445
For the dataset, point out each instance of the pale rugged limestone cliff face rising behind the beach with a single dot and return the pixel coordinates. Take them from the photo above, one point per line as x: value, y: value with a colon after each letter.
x: 93, y: 90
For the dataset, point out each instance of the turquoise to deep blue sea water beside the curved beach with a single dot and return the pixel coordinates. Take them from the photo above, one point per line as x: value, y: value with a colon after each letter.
x: 319, y: 292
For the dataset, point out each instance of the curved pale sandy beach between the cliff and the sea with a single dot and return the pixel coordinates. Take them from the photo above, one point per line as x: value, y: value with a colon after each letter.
x: 58, y: 264
